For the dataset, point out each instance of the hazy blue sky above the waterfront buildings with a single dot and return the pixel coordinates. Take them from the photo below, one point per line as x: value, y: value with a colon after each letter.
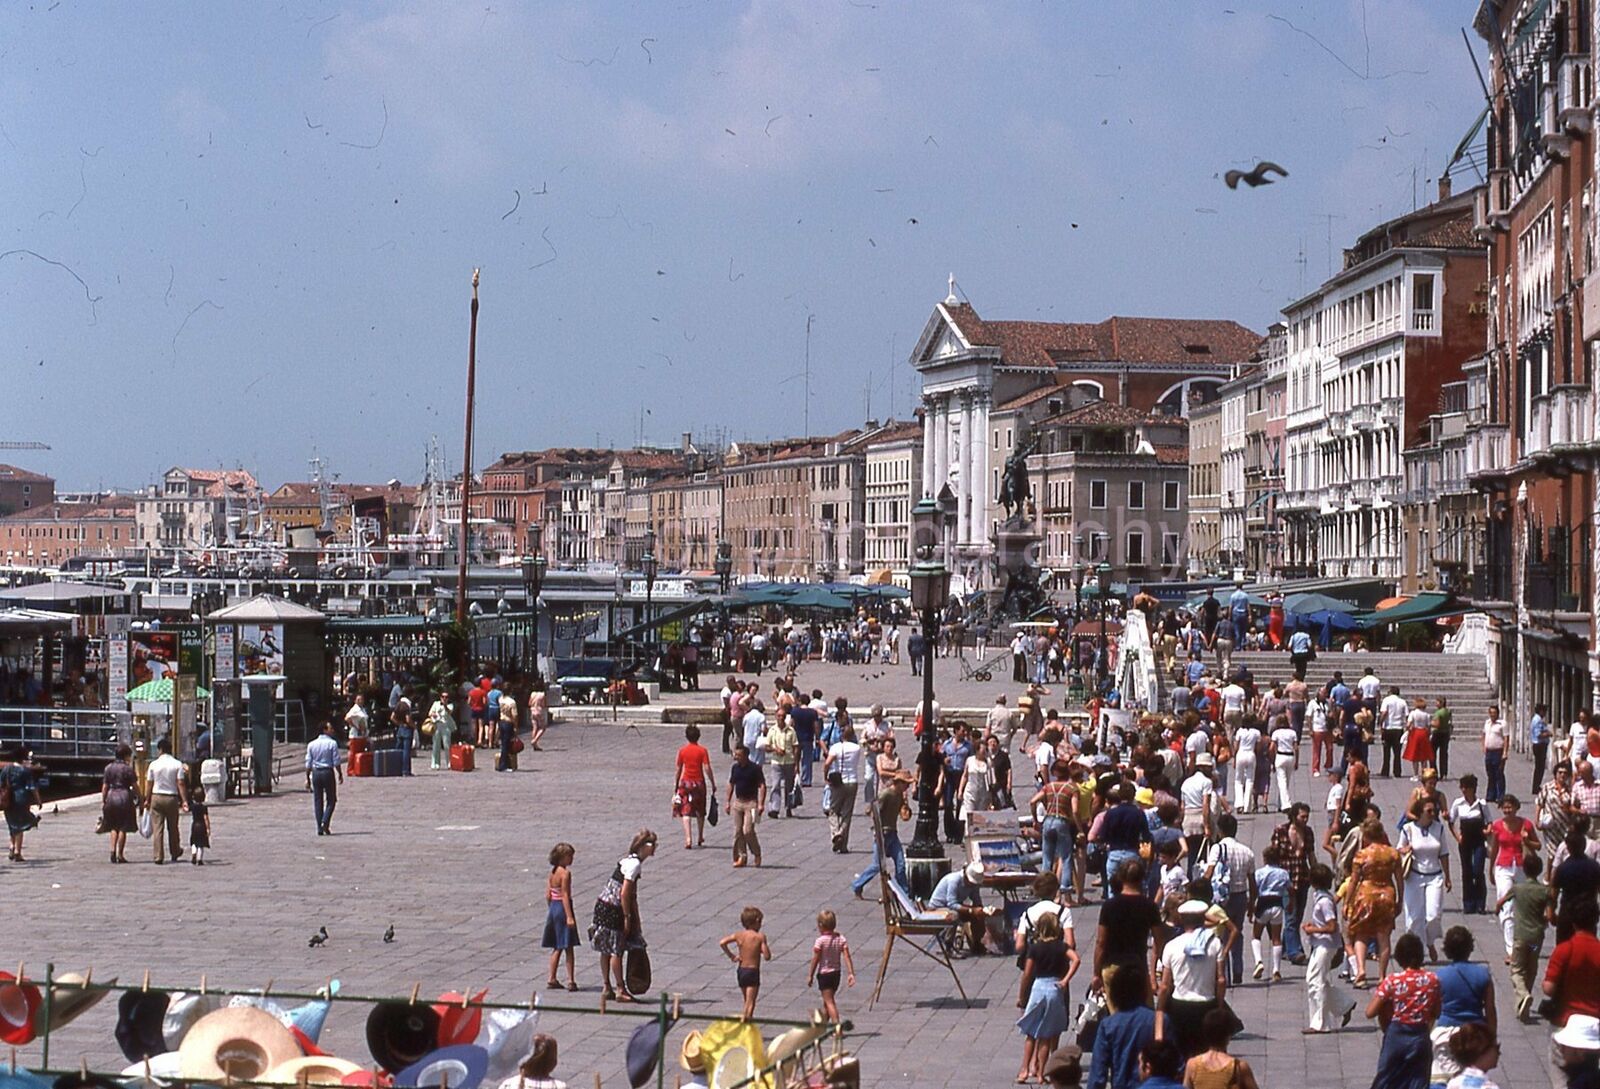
x: 276, y: 209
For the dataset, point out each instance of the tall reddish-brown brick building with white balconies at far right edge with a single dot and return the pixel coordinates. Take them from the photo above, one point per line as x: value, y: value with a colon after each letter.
x: 1535, y: 458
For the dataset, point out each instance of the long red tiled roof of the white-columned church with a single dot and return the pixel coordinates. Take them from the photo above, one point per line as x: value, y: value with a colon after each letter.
x: 1177, y: 341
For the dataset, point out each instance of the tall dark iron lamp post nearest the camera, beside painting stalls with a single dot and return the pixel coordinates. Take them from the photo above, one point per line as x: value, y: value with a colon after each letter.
x: 930, y: 588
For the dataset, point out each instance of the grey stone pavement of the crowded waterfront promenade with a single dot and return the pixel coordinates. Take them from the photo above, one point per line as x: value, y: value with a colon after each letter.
x: 458, y: 864
